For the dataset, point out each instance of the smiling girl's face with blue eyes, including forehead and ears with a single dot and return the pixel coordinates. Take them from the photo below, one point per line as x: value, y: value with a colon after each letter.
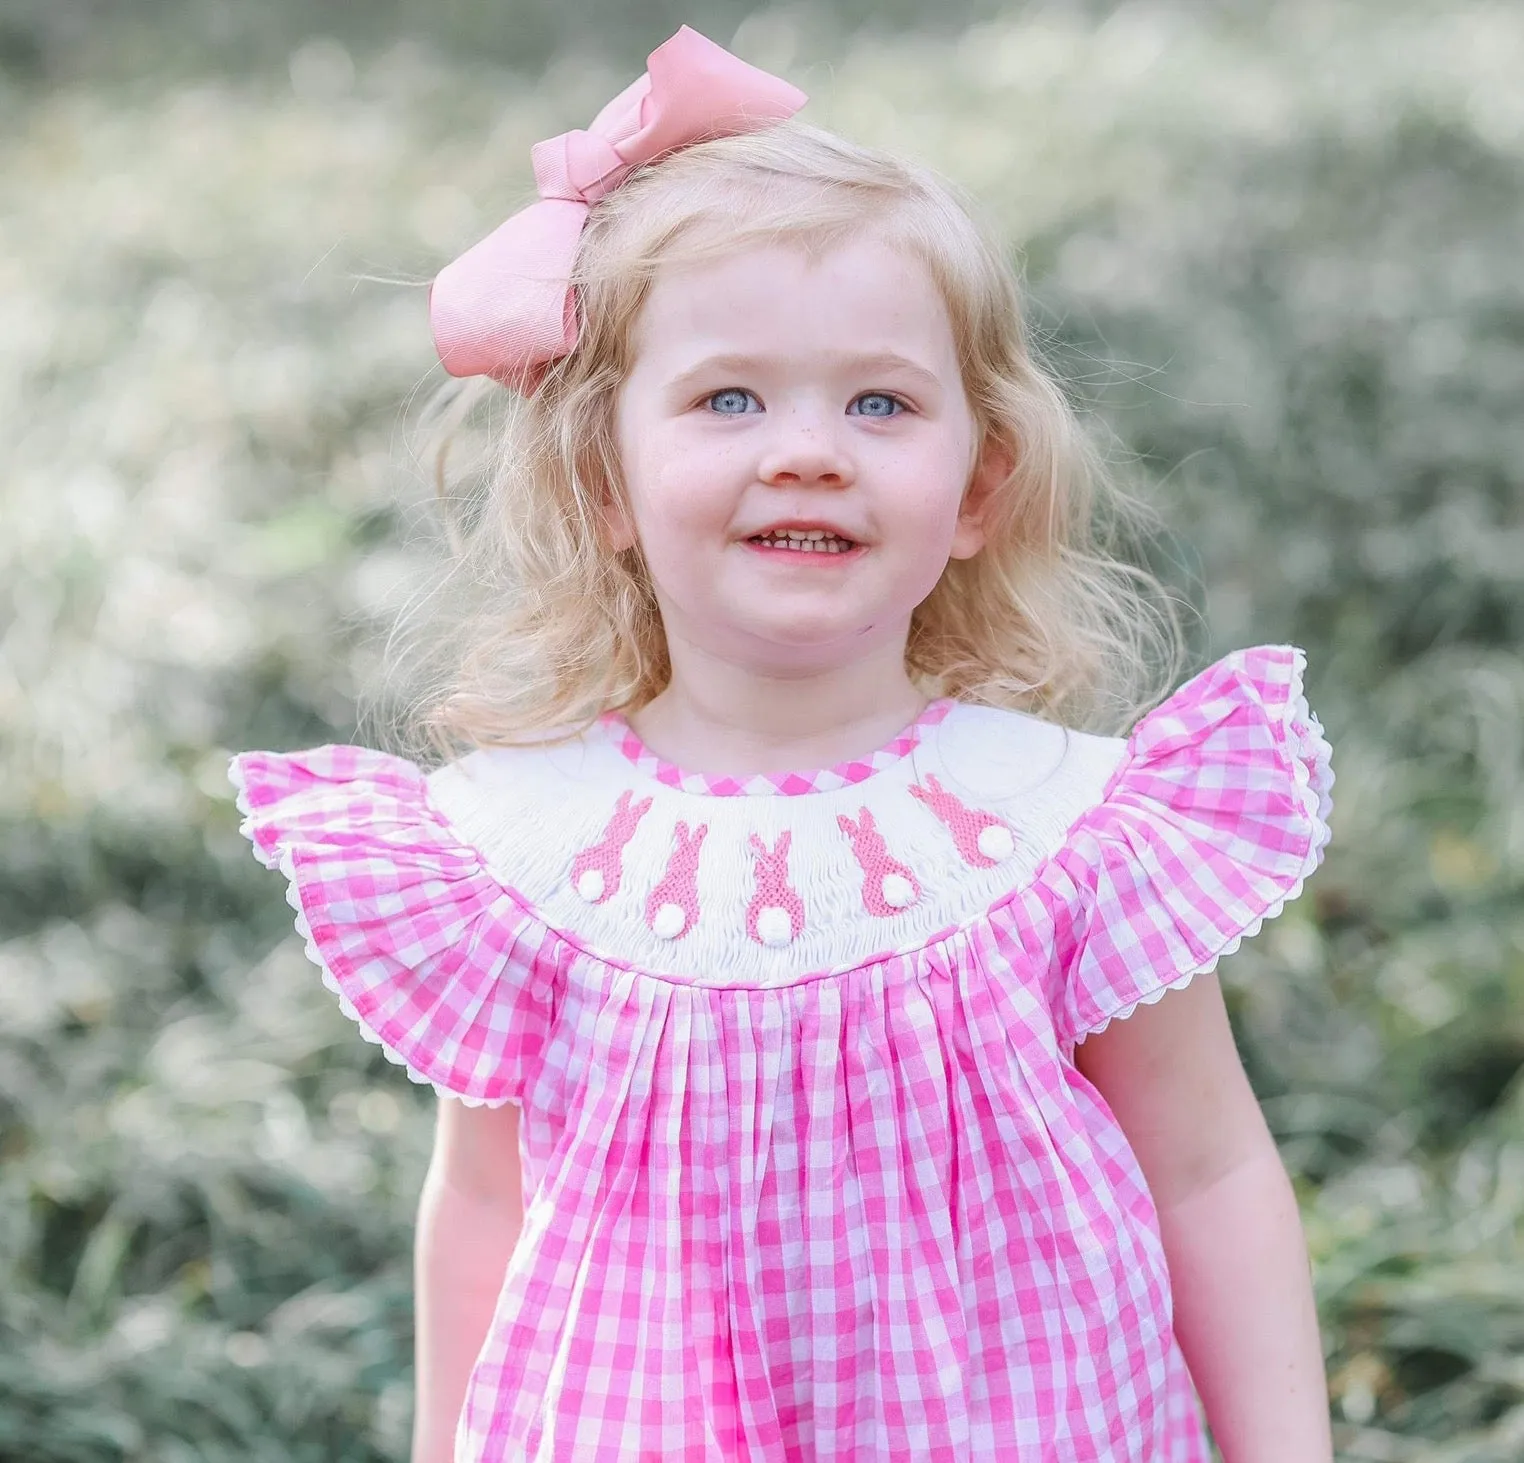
x: 778, y: 395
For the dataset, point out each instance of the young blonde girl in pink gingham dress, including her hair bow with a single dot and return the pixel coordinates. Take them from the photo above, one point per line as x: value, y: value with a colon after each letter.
x: 790, y: 970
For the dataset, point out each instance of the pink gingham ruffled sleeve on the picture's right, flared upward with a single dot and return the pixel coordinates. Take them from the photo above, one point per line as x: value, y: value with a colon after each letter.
x: 1209, y: 827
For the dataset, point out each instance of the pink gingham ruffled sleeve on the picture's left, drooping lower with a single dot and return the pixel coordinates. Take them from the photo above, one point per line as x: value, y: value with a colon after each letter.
x: 426, y: 952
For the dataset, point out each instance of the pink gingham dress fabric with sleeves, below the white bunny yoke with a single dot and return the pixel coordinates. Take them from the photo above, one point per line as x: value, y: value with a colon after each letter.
x: 866, y: 1217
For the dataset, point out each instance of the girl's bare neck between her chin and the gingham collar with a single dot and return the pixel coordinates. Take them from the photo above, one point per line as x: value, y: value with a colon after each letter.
x: 728, y: 720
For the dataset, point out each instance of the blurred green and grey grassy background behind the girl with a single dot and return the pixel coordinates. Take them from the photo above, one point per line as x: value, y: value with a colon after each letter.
x: 1273, y: 251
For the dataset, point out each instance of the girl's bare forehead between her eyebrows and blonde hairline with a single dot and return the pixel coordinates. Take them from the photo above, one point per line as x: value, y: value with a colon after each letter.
x: 862, y: 293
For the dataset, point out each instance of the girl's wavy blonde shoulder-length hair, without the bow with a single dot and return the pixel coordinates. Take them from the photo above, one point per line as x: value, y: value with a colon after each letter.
x: 540, y: 627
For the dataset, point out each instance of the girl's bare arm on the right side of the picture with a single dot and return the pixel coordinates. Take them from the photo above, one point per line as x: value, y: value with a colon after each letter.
x: 1238, y: 1263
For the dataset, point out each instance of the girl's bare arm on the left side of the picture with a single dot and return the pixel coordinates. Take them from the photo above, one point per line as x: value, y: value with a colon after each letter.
x: 469, y: 1221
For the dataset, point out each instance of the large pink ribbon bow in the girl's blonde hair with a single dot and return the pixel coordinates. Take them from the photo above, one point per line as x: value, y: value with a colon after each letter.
x: 505, y: 309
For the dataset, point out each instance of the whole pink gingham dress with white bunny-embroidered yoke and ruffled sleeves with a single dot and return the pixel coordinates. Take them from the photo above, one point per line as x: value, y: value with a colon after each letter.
x: 810, y: 1171
